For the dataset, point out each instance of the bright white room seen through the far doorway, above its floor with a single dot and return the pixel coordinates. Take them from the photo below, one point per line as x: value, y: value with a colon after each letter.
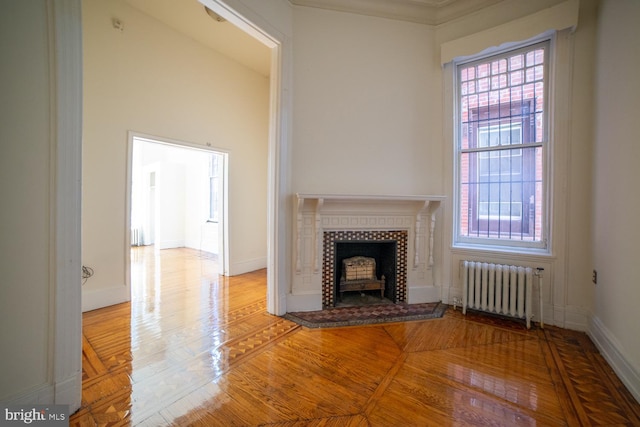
x: 178, y: 195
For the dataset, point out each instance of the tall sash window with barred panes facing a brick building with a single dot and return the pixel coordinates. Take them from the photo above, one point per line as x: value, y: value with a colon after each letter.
x: 500, y: 148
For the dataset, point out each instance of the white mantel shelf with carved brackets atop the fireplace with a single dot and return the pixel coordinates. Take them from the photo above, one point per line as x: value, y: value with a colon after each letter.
x: 321, y: 204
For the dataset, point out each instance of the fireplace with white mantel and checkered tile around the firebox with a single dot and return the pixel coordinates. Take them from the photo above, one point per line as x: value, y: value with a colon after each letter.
x: 326, y: 221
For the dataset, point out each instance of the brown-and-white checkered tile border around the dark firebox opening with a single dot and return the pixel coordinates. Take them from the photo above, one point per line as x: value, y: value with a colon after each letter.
x: 330, y: 240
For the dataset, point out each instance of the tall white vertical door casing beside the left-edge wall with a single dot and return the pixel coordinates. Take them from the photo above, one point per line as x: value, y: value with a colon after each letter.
x: 67, y: 110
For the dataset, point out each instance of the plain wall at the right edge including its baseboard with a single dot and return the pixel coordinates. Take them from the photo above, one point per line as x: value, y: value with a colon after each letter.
x: 616, y: 199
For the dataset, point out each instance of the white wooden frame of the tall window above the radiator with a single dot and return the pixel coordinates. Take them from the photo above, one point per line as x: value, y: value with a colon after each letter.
x: 545, y: 144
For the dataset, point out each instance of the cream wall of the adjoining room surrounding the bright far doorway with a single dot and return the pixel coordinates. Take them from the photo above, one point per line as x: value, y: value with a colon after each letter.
x: 152, y: 80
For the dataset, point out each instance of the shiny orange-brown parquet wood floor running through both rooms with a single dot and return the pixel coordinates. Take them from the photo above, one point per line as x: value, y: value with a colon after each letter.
x: 196, y: 348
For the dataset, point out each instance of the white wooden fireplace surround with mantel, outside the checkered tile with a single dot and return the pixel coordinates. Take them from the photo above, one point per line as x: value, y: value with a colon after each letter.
x: 317, y: 213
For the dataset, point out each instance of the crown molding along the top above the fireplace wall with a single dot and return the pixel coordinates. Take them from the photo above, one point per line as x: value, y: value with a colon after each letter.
x: 430, y: 12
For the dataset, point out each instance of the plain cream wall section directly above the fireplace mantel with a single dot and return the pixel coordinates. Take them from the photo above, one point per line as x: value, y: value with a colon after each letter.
x: 366, y: 105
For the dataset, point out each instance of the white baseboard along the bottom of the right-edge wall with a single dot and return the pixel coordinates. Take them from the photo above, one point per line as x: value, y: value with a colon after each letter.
x: 611, y: 351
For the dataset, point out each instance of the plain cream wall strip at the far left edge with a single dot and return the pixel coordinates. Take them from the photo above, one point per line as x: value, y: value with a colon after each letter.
x: 24, y: 188
